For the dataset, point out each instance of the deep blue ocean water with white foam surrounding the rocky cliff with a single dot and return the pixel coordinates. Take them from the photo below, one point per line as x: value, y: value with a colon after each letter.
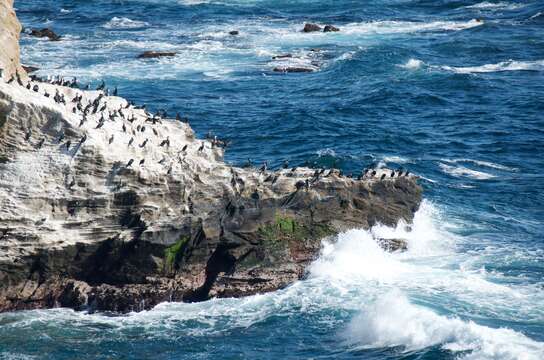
x: 414, y: 83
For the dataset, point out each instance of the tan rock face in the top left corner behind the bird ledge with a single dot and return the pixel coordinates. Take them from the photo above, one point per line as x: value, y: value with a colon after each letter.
x: 10, y: 29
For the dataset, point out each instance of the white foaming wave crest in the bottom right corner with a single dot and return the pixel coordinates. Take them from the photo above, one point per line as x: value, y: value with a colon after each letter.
x: 392, y: 320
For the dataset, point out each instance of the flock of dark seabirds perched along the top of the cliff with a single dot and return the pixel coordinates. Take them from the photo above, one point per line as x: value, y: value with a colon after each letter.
x: 98, y: 107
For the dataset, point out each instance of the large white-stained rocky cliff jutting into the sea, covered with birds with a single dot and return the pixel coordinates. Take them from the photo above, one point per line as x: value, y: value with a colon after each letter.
x: 105, y: 207
